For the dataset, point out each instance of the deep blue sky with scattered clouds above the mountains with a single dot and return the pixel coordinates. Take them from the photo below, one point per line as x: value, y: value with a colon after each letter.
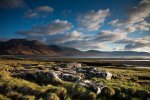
x: 105, y: 25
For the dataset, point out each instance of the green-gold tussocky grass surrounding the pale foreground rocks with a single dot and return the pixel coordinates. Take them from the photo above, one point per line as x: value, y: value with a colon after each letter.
x: 128, y: 83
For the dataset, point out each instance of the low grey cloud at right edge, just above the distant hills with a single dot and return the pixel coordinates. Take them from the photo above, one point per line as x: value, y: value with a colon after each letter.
x: 137, y: 43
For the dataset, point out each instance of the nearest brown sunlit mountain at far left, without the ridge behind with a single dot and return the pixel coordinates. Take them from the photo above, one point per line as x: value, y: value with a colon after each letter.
x: 25, y: 47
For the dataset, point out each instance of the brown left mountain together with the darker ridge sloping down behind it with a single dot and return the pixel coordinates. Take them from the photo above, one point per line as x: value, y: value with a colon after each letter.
x: 27, y: 47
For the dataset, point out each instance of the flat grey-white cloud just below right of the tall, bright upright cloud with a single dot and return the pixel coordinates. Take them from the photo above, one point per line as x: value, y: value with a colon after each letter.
x: 106, y: 35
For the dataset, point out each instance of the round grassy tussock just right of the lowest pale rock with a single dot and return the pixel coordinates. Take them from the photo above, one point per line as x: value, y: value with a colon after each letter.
x: 108, y: 91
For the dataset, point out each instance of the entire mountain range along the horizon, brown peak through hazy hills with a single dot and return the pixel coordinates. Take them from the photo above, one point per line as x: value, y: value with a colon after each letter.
x: 28, y: 47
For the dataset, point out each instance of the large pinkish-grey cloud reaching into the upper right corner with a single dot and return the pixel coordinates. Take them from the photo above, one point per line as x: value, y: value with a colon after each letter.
x: 136, y: 19
